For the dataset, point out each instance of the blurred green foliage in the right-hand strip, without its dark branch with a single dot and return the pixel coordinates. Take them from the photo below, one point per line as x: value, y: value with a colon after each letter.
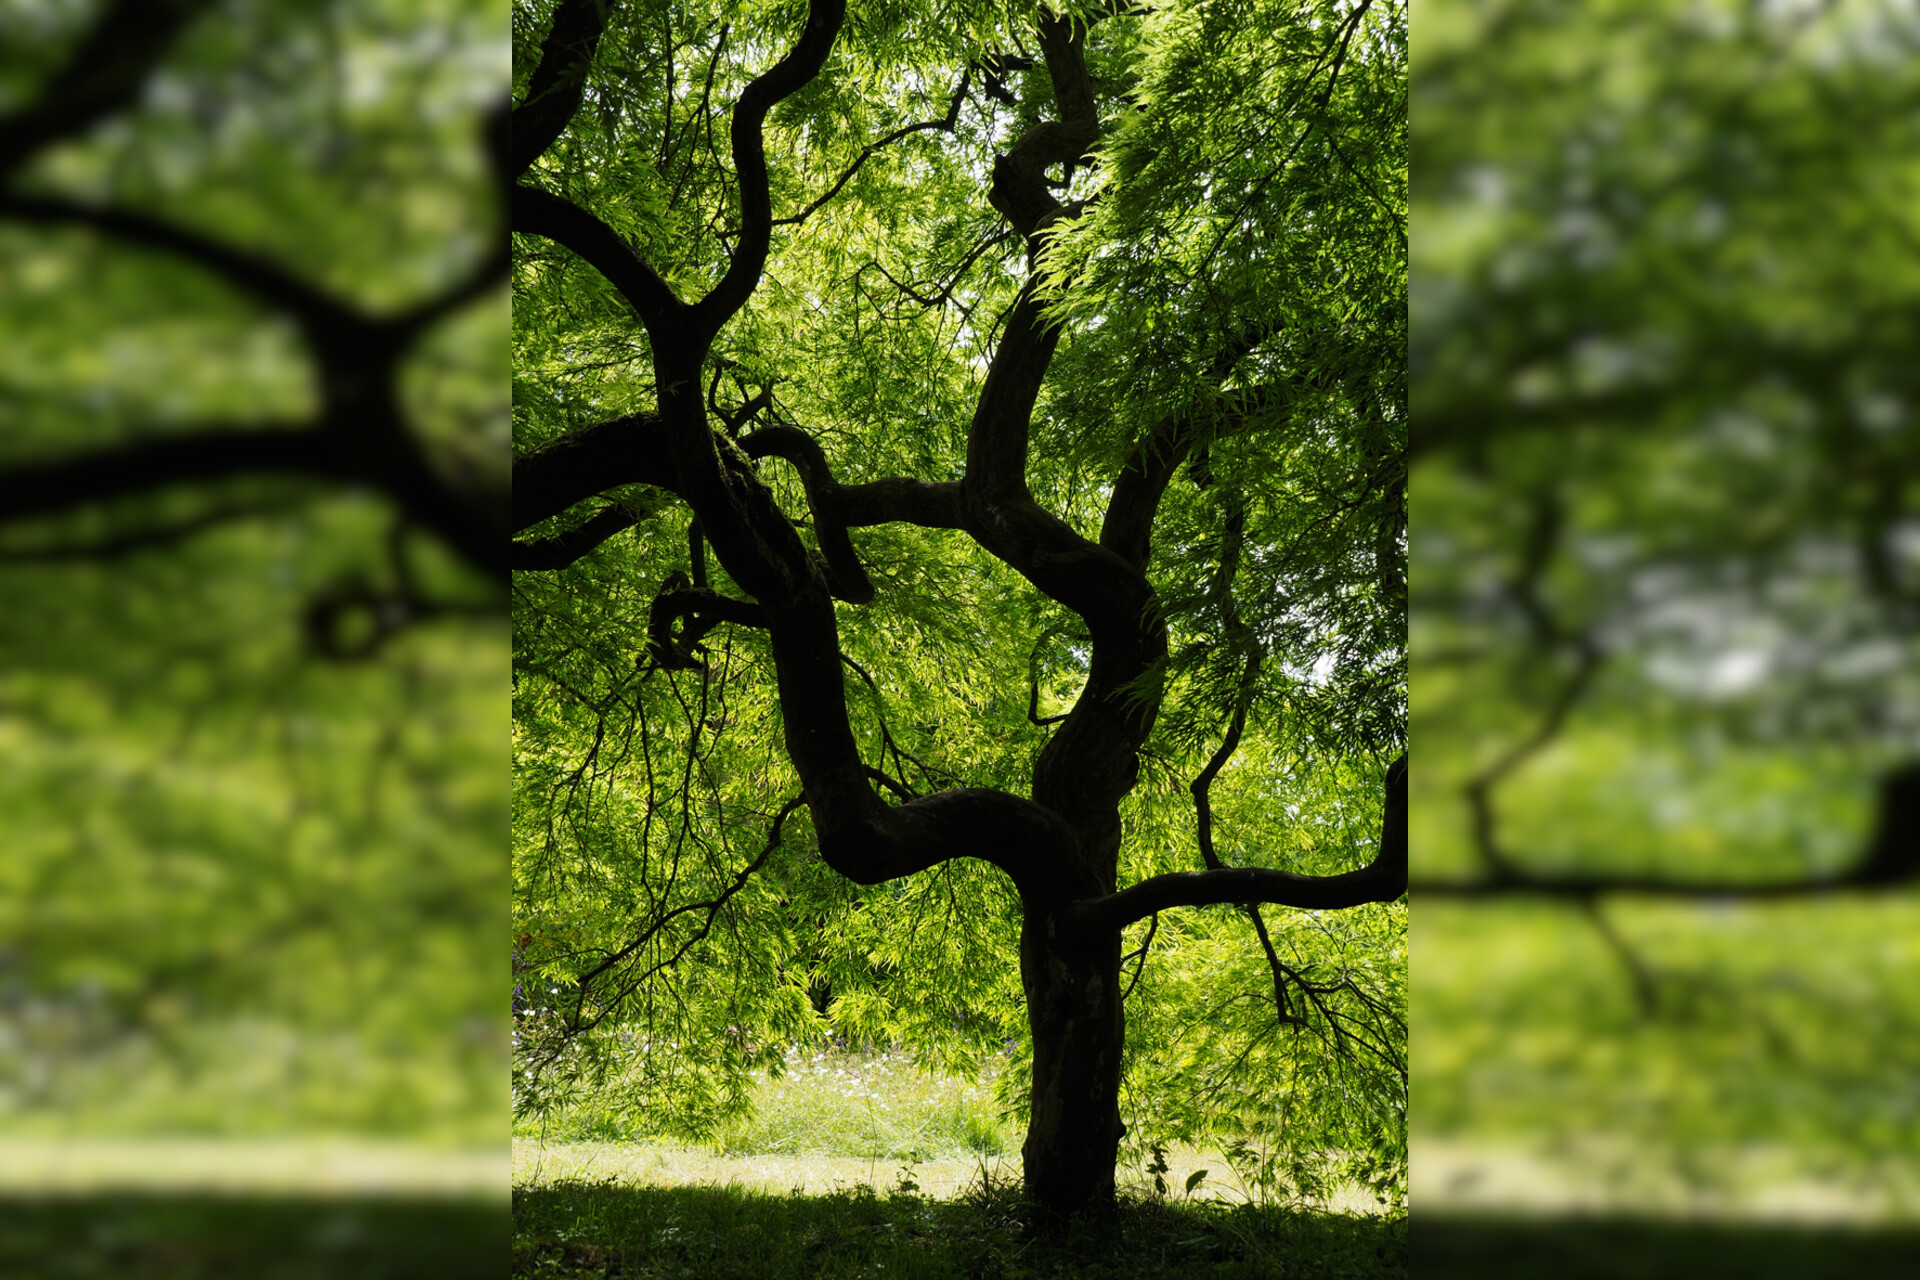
x: 1668, y: 571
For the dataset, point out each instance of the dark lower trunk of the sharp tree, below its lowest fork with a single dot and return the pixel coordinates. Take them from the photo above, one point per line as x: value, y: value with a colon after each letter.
x: 1078, y: 1026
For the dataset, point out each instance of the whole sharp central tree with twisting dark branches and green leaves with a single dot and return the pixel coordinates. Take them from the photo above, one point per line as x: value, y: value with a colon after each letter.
x: 1090, y: 327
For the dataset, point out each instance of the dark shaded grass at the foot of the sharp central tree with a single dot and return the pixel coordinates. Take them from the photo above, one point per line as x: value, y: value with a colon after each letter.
x: 727, y: 1233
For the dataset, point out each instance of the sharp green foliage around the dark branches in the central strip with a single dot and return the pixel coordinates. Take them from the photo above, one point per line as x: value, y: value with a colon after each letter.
x: 1239, y: 201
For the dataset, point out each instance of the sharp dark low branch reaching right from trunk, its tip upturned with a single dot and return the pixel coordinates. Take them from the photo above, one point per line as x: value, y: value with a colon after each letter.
x: 1381, y: 880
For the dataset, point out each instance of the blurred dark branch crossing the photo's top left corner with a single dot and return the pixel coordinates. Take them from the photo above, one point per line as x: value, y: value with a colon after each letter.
x: 105, y: 76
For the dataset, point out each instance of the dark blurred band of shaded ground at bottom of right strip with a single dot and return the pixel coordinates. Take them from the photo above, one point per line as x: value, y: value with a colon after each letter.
x: 1616, y: 1248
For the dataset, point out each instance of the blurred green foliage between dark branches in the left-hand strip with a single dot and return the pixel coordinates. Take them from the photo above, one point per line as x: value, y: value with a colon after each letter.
x: 247, y: 888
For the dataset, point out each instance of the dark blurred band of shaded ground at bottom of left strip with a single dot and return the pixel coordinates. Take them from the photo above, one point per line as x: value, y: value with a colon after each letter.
x: 174, y: 1237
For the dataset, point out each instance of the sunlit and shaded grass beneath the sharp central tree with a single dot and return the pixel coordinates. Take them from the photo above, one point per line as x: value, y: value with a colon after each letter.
x: 865, y: 1166
